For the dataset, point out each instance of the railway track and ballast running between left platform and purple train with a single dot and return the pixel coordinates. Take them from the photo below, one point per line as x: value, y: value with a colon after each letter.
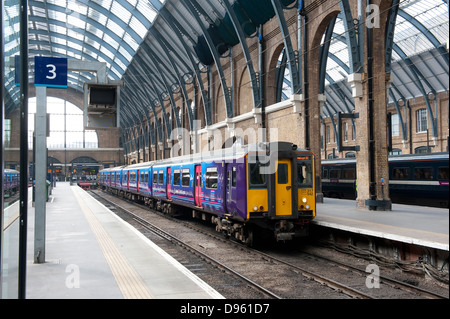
x: 284, y: 268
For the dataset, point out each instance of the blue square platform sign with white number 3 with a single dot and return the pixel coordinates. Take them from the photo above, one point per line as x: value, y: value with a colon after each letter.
x: 50, y: 72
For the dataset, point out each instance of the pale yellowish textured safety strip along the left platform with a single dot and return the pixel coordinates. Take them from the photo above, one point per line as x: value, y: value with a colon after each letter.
x: 129, y: 282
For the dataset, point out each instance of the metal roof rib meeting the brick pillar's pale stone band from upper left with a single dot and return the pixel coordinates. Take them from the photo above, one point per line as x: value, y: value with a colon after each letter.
x: 353, y: 44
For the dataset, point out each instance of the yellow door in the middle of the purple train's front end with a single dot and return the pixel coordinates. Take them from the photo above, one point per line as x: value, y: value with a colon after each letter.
x: 283, y: 187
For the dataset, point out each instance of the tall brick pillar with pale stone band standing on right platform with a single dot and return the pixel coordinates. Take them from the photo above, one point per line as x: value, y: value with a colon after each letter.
x: 372, y: 160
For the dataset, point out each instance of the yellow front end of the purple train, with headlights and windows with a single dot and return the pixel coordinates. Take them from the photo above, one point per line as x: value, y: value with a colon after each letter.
x: 281, y: 189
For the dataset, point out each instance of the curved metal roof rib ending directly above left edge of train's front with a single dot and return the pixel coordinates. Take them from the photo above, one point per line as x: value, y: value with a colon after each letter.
x: 257, y: 103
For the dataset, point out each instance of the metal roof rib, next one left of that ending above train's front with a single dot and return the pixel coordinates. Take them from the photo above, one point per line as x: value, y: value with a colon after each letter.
x: 192, y: 7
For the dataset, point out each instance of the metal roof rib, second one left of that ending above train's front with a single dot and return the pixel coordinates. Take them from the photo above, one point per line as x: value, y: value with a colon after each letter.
x: 178, y: 30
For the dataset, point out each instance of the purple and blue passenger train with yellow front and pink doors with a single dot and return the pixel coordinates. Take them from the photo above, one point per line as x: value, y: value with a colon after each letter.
x: 246, y: 191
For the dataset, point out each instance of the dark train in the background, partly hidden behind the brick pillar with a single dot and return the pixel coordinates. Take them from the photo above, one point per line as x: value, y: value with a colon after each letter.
x: 414, y: 179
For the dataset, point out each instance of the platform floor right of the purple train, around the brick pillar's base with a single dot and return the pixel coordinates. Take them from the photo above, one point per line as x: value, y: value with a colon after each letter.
x: 424, y: 226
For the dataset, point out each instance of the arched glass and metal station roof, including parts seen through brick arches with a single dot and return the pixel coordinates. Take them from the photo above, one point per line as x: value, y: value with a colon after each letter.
x: 160, y: 44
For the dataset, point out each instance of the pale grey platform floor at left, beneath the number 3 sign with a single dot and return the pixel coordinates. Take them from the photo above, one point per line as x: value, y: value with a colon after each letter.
x: 91, y: 253
